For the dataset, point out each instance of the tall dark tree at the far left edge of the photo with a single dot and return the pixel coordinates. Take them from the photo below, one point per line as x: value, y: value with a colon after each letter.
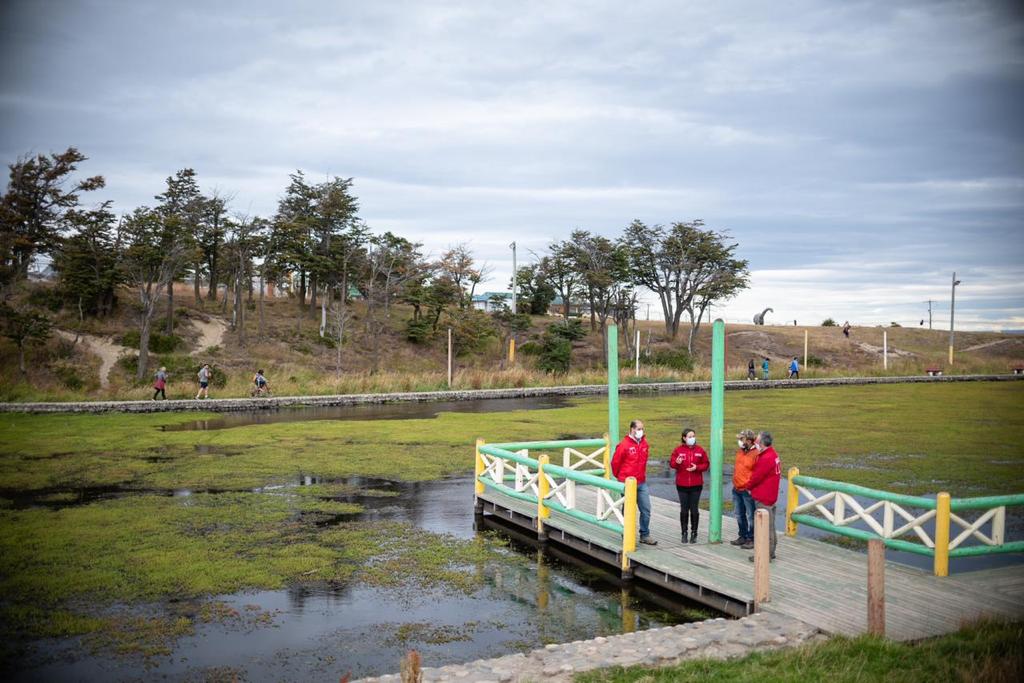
x: 34, y: 207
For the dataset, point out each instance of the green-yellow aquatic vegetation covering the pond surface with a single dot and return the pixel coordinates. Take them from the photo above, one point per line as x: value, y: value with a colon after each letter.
x: 60, y: 560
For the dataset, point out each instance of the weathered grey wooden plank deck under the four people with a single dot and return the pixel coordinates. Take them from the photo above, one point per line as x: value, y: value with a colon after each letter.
x: 815, y: 582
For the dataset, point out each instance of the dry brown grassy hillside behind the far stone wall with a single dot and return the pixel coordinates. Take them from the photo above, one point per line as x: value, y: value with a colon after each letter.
x: 297, y: 361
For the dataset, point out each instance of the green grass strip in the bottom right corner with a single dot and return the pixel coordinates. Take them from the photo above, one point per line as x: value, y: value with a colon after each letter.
x: 987, y: 652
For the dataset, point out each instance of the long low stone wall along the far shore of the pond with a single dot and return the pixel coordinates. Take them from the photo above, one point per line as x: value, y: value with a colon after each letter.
x: 236, y: 405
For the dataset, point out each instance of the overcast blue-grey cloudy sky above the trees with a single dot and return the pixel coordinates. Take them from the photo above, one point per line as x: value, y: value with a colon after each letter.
x: 859, y: 153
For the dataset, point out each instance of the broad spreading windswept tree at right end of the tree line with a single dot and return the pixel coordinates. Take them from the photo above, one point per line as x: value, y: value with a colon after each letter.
x: 688, y: 267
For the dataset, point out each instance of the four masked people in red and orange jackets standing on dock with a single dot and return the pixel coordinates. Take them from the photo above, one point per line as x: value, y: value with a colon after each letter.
x: 756, y: 481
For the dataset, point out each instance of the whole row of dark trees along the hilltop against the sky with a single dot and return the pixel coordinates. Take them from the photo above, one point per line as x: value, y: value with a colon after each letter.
x: 319, y: 247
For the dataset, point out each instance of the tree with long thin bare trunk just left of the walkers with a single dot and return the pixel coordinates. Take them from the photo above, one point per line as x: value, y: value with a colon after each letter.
x: 153, y: 257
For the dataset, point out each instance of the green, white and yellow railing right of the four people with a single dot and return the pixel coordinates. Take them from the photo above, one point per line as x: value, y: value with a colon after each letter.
x: 898, y: 522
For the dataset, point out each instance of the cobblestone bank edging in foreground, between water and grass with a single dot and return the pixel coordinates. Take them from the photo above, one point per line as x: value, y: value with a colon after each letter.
x: 715, y: 639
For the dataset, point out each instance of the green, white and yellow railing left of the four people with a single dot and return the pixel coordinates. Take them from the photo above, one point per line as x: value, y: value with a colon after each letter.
x: 508, y: 468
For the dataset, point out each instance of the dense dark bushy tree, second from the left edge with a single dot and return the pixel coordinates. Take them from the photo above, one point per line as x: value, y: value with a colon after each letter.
x: 88, y: 262
